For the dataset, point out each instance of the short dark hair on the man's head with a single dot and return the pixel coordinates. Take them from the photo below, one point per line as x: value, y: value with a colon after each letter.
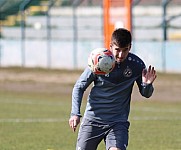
x: 121, y: 37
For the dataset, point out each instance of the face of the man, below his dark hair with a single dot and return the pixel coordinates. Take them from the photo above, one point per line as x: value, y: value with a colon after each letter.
x: 120, y: 53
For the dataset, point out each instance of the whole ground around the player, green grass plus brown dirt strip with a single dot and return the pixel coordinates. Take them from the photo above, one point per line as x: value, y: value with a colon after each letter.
x: 35, y: 106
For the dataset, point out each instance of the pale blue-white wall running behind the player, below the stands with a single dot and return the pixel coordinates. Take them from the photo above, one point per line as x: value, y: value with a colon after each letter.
x: 165, y: 57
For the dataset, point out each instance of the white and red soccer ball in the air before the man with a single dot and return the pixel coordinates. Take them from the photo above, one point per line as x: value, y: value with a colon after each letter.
x: 101, y: 61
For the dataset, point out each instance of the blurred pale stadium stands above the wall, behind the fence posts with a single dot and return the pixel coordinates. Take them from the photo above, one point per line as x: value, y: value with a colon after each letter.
x: 61, y: 19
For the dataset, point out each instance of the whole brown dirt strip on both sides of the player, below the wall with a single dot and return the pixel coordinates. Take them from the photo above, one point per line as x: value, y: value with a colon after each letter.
x: 167, y: 86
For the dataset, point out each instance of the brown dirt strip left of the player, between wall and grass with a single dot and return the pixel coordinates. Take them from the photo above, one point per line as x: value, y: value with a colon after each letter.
x: 38, y: 80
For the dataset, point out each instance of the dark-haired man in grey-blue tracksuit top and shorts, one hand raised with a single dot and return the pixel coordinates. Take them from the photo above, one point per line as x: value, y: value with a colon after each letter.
x: 108, y: 104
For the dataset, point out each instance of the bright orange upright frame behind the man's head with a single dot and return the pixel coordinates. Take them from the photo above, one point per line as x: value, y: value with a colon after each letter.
x: 116, y: 13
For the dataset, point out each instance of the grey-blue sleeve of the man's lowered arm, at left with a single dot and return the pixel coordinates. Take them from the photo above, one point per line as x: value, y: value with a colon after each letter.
x: 86, y: 78
